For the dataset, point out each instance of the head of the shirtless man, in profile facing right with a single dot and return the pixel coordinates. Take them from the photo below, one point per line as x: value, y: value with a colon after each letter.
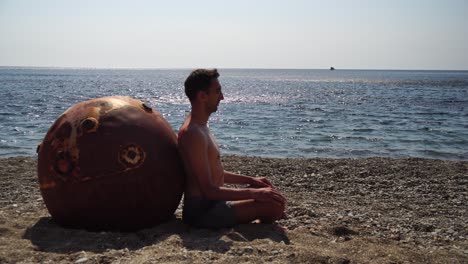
x: 203, y: 85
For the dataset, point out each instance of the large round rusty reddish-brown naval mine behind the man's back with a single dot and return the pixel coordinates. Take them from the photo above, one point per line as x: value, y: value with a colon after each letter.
x: 110, y: 163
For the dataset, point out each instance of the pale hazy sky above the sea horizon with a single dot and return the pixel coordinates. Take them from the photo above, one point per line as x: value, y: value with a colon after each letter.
x: 393, y: 34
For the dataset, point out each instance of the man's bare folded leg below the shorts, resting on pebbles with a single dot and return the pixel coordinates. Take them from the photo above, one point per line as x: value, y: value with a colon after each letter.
x: 247, y: 211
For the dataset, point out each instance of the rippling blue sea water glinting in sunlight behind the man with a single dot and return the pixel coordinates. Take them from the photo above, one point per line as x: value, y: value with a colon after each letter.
x: 269, y: 113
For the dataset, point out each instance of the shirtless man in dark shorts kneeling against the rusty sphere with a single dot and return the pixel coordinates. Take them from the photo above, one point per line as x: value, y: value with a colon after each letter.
x: 207, y: 202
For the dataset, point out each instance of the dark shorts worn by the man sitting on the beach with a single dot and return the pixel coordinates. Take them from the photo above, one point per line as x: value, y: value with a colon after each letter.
x: 201, y: 212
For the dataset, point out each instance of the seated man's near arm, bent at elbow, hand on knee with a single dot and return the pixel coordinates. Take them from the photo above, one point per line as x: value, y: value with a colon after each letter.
x: 193, y: 148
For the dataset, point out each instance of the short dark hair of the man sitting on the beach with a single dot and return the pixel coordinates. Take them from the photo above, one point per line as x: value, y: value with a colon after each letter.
x: 199, y: 80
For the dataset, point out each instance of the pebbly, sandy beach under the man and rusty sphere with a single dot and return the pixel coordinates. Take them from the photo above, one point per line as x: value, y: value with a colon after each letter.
x: 375, y: 210
